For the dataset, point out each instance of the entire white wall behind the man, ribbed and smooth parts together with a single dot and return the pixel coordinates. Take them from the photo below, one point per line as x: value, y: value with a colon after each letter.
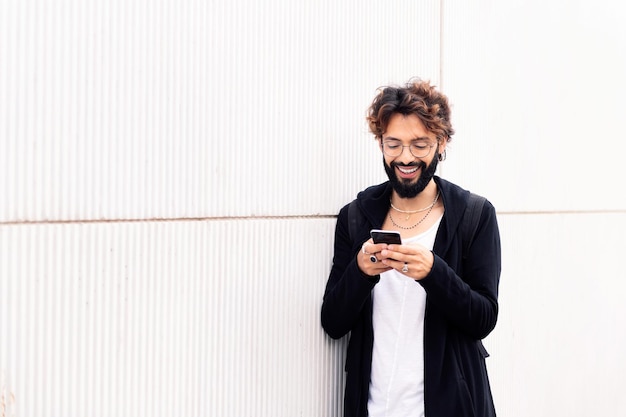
x: 170, y: 171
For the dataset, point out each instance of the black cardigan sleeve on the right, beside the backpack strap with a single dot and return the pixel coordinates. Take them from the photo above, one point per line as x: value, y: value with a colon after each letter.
x: 470, y: 302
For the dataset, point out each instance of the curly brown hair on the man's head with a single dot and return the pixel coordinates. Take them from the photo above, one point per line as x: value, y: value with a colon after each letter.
x: 416, y: 97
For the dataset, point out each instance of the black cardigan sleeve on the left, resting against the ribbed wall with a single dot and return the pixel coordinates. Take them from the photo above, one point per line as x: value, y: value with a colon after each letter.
x: 348, y: 289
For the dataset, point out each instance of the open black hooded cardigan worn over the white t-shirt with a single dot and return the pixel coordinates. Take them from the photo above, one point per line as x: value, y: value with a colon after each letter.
x: 461, y: 306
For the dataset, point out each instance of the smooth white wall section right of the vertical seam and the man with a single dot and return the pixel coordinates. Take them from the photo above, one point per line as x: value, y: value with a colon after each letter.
x: 538, y: 92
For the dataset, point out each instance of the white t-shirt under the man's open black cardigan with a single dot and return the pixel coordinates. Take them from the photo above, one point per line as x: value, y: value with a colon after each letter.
x: 397, y: 376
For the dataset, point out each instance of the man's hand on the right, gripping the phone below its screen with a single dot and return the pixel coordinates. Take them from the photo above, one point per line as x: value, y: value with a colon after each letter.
x: 414, y: 261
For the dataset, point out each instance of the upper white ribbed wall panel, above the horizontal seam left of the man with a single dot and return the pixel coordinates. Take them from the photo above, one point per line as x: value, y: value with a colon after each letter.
x: 170, y: 109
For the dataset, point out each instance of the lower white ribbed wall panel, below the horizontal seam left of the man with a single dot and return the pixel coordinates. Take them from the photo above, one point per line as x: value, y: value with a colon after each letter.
x: 161, y: 319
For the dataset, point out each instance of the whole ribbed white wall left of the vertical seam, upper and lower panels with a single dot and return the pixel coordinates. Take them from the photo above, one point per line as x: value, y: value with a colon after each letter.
x: 160, y: 111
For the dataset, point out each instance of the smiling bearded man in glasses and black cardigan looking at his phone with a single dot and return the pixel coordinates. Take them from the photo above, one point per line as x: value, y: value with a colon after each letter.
x: 416, y: 311
